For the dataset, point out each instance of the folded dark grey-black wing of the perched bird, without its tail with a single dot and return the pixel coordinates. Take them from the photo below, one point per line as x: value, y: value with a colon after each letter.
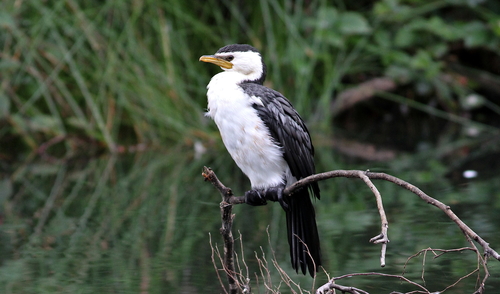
x: 287, y: 129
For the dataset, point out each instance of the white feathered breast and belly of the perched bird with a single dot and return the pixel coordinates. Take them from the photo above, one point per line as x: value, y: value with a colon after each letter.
x: 244, y: 134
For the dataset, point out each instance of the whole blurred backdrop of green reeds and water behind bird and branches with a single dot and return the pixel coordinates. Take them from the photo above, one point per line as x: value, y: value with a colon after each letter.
x: 103, y: 138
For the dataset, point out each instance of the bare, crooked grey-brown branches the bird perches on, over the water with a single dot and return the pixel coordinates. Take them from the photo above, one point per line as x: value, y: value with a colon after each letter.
x: 229, y: 199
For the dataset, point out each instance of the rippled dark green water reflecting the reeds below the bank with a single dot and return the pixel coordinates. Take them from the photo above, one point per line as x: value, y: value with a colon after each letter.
x: 142, y: 224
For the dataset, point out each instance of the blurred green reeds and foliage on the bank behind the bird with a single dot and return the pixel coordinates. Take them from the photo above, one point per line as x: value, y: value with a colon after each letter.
x: 128, y: 73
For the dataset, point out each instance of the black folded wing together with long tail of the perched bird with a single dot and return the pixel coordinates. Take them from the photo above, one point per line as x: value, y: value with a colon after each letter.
x: 289, y: 131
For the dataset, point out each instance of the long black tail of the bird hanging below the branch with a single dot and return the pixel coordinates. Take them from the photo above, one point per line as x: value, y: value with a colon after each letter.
x: 303, y: 233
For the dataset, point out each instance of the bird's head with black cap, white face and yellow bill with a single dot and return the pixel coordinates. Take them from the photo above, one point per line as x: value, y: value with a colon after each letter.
x: 241, y: 58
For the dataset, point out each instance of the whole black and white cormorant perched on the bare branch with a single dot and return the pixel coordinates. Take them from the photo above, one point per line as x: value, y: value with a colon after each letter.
x: 269, y: 142
